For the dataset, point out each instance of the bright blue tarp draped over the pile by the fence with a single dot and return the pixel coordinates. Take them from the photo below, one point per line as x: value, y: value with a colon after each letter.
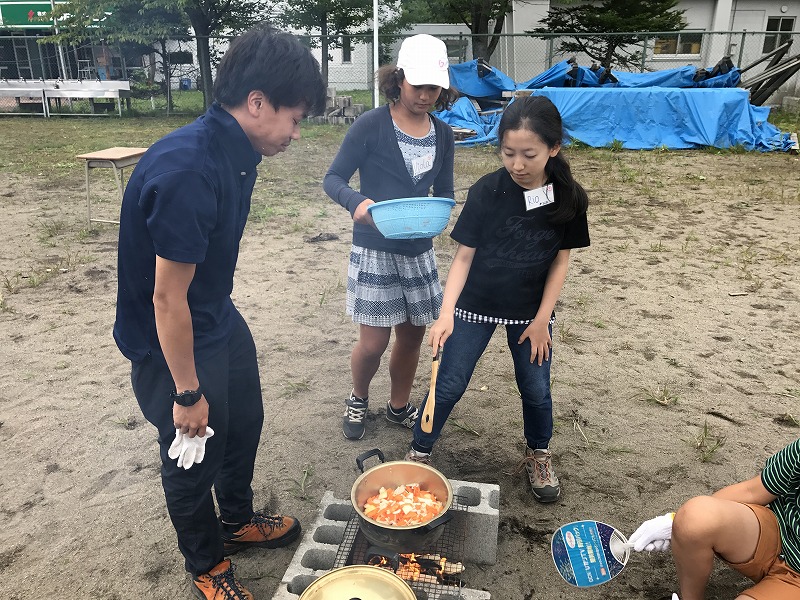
x: 641, y: 110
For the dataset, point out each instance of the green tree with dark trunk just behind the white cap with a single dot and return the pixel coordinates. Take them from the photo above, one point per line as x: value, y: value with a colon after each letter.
x: 483, y: 17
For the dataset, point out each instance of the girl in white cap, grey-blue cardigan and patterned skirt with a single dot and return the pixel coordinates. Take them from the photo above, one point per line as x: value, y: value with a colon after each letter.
x: 400, y: 151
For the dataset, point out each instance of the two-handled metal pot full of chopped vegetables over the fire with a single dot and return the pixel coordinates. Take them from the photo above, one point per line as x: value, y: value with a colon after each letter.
x: 402, y: 506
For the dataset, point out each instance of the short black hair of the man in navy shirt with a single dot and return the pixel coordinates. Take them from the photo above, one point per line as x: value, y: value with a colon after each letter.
x: 274, y: 62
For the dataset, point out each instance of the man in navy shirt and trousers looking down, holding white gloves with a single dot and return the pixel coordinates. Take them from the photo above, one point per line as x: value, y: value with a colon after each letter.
x: 194, y: 368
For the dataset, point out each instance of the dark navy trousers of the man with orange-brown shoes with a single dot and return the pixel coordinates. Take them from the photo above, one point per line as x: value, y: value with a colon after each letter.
x: 231, y: 385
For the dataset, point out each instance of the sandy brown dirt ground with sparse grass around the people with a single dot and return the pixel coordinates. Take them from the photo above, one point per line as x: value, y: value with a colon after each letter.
x: 675, y: 370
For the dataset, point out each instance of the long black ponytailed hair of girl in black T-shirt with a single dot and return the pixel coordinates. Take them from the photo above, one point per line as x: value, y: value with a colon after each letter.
x: 539, y: 115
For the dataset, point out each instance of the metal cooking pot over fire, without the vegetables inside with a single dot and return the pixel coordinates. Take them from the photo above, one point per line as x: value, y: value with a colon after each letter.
x: 400, y: 538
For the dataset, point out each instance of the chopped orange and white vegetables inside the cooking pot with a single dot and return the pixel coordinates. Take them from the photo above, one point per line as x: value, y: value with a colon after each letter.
x: 402, y: 506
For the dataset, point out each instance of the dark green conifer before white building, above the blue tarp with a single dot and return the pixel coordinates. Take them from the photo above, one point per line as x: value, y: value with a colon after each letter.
x: 618, y: 21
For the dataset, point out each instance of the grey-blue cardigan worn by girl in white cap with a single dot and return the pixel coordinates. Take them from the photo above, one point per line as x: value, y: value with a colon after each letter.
x: 370, y: 146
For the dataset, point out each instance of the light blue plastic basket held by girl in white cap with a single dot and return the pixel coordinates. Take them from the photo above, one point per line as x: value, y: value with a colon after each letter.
x: 411, y: 218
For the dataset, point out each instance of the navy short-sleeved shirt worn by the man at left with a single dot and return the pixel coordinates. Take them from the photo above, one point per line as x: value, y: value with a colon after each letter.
x: 187, y: 201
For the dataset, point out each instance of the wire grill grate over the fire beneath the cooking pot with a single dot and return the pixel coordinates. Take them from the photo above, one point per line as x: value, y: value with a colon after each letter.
x: 353, y: 549
